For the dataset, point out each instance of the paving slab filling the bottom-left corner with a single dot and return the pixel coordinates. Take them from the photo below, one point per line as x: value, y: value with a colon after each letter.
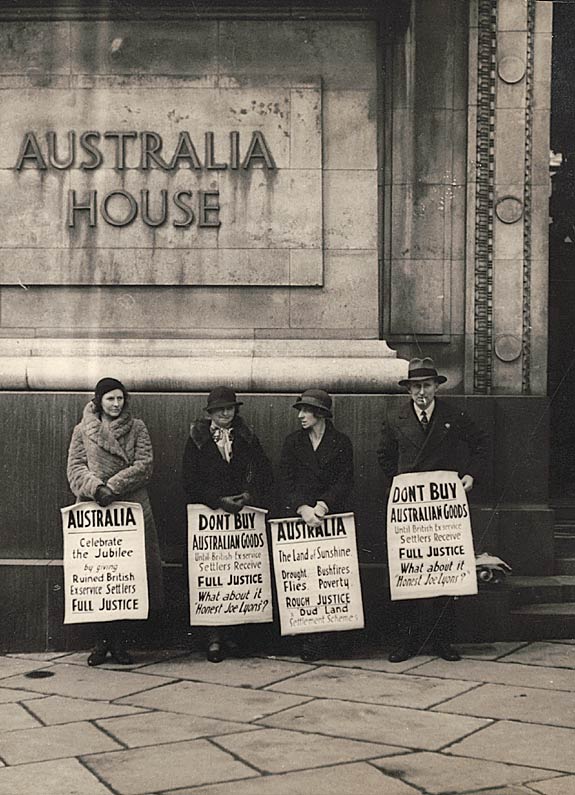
x: 64, y: 777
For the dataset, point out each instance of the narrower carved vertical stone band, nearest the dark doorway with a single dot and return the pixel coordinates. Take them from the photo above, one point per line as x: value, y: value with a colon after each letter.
x: 527, y: 204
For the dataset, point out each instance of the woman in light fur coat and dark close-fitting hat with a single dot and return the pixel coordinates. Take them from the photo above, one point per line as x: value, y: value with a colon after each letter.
x: 110, y: 458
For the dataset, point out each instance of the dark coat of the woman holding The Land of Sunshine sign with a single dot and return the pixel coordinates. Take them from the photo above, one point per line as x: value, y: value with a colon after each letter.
x: 309, y: 475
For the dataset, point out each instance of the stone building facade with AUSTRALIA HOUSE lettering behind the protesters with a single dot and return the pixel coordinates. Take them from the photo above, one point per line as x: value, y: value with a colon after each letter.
x: 274, y: 196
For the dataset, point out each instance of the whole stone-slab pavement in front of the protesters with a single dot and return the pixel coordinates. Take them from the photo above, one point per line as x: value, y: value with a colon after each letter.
x: 501, y: 721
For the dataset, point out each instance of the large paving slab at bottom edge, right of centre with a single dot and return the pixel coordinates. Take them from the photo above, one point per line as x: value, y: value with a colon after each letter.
x: 438, y: 773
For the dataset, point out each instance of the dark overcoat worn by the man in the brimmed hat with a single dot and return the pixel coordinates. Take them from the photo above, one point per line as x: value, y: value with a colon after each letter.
x: 453, y: 442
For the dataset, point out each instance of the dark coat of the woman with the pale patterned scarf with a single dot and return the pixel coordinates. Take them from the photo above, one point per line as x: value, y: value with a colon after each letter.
x: 206, y: 476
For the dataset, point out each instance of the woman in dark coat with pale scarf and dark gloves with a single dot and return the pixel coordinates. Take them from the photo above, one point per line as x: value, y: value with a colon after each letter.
x: 224, y: 467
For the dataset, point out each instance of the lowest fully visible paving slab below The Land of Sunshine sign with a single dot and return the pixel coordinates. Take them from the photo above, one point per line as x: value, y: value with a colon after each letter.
x: 278, y: 750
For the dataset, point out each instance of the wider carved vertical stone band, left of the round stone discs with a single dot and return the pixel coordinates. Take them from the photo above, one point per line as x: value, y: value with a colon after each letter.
x: 483, y: 323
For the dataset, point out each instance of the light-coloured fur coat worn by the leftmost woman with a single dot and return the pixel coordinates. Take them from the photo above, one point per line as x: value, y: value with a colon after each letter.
x: 119, y: 455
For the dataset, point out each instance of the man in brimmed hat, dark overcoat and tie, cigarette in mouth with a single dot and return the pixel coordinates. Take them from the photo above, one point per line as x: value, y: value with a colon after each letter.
x: 422, y: 435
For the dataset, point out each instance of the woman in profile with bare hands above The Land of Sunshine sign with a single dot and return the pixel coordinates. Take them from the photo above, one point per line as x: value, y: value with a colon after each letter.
x: 316, y: 476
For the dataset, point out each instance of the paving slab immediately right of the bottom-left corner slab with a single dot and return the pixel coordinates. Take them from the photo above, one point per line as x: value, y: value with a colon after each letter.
x: 166, y: 767
